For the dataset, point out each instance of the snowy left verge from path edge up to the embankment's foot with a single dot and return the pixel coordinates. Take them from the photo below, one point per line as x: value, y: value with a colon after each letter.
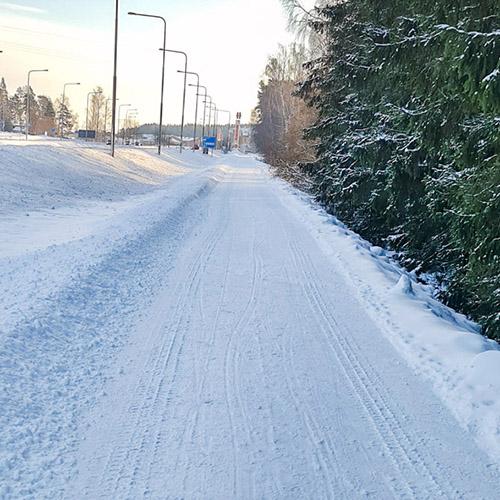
x: 60, y: 330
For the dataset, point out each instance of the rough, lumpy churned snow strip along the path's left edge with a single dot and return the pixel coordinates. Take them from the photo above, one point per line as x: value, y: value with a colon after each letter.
x: 72, y: 337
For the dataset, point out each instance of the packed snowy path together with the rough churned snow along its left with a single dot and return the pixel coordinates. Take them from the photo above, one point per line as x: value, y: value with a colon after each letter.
x: 216, y: 352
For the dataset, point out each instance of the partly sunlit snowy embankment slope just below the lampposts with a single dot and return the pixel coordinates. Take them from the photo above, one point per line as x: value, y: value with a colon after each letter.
x: 43, y: 174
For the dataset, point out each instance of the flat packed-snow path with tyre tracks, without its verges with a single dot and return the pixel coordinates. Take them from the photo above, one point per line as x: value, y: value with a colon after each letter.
x: 257, y: 374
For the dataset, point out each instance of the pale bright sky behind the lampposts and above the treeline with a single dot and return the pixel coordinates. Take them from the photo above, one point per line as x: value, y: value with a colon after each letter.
x: 228, y: 42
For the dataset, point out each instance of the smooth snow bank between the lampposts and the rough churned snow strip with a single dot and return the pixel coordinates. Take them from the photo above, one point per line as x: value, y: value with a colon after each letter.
x: 64, y: 205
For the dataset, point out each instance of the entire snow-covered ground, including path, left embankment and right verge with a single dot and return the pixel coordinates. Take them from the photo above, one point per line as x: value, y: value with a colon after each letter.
x: 189, y: 327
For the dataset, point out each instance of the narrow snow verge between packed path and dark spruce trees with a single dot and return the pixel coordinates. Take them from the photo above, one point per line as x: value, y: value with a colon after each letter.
x: 437, y: 342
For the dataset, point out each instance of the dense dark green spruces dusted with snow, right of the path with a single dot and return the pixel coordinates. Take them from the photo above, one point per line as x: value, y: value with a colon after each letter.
x: 408, y: 98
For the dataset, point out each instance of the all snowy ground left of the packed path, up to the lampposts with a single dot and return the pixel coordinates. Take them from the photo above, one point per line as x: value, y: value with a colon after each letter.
x: 66, y: 306
